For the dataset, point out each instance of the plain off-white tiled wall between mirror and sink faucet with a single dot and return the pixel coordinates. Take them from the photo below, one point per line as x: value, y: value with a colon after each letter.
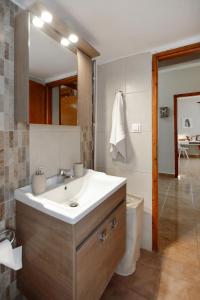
x: 53, y: 147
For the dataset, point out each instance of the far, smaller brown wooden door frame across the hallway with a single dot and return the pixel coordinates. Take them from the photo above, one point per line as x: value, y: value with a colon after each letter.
x: 176, y: 98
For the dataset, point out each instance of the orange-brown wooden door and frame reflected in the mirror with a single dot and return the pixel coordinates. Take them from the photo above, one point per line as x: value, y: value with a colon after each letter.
x: 54, y: 103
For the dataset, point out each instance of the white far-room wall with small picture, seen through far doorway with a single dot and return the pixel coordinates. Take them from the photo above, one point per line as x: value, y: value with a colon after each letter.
x: 189, y: 108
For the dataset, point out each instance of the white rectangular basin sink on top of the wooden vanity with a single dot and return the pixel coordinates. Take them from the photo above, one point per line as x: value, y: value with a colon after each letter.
x: 71, y: 201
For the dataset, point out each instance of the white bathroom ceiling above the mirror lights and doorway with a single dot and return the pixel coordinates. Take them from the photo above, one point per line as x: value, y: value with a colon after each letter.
x: 118, y: 28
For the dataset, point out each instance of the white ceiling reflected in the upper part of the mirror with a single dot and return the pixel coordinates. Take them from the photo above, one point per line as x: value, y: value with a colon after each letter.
x: 48, y: 60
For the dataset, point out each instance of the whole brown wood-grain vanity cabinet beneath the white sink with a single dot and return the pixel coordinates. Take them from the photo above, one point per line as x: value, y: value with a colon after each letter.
x: 71, y: 262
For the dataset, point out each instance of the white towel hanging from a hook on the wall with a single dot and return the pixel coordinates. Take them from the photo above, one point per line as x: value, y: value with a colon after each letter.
x: 118, y: 135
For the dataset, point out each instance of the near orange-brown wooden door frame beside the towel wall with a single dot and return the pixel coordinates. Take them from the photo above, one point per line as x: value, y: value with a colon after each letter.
x: 156, y: 58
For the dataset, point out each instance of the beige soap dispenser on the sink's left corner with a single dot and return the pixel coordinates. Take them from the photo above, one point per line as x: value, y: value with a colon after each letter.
x: 38, y: 182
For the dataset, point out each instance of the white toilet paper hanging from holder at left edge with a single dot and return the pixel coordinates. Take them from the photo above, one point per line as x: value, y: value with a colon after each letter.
x: 10, y: 257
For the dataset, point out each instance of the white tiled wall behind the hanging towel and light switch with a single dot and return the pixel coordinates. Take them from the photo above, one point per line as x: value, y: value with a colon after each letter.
x: 133, y: 76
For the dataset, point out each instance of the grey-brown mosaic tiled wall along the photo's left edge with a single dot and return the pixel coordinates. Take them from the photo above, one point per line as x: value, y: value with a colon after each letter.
x: 14, y: 140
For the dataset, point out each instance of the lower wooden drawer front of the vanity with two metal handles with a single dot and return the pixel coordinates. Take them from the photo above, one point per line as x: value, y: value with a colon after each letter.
x: 98, y: 257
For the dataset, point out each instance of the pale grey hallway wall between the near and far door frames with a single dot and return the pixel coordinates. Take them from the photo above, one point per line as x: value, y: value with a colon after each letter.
x: 171, y: 83
